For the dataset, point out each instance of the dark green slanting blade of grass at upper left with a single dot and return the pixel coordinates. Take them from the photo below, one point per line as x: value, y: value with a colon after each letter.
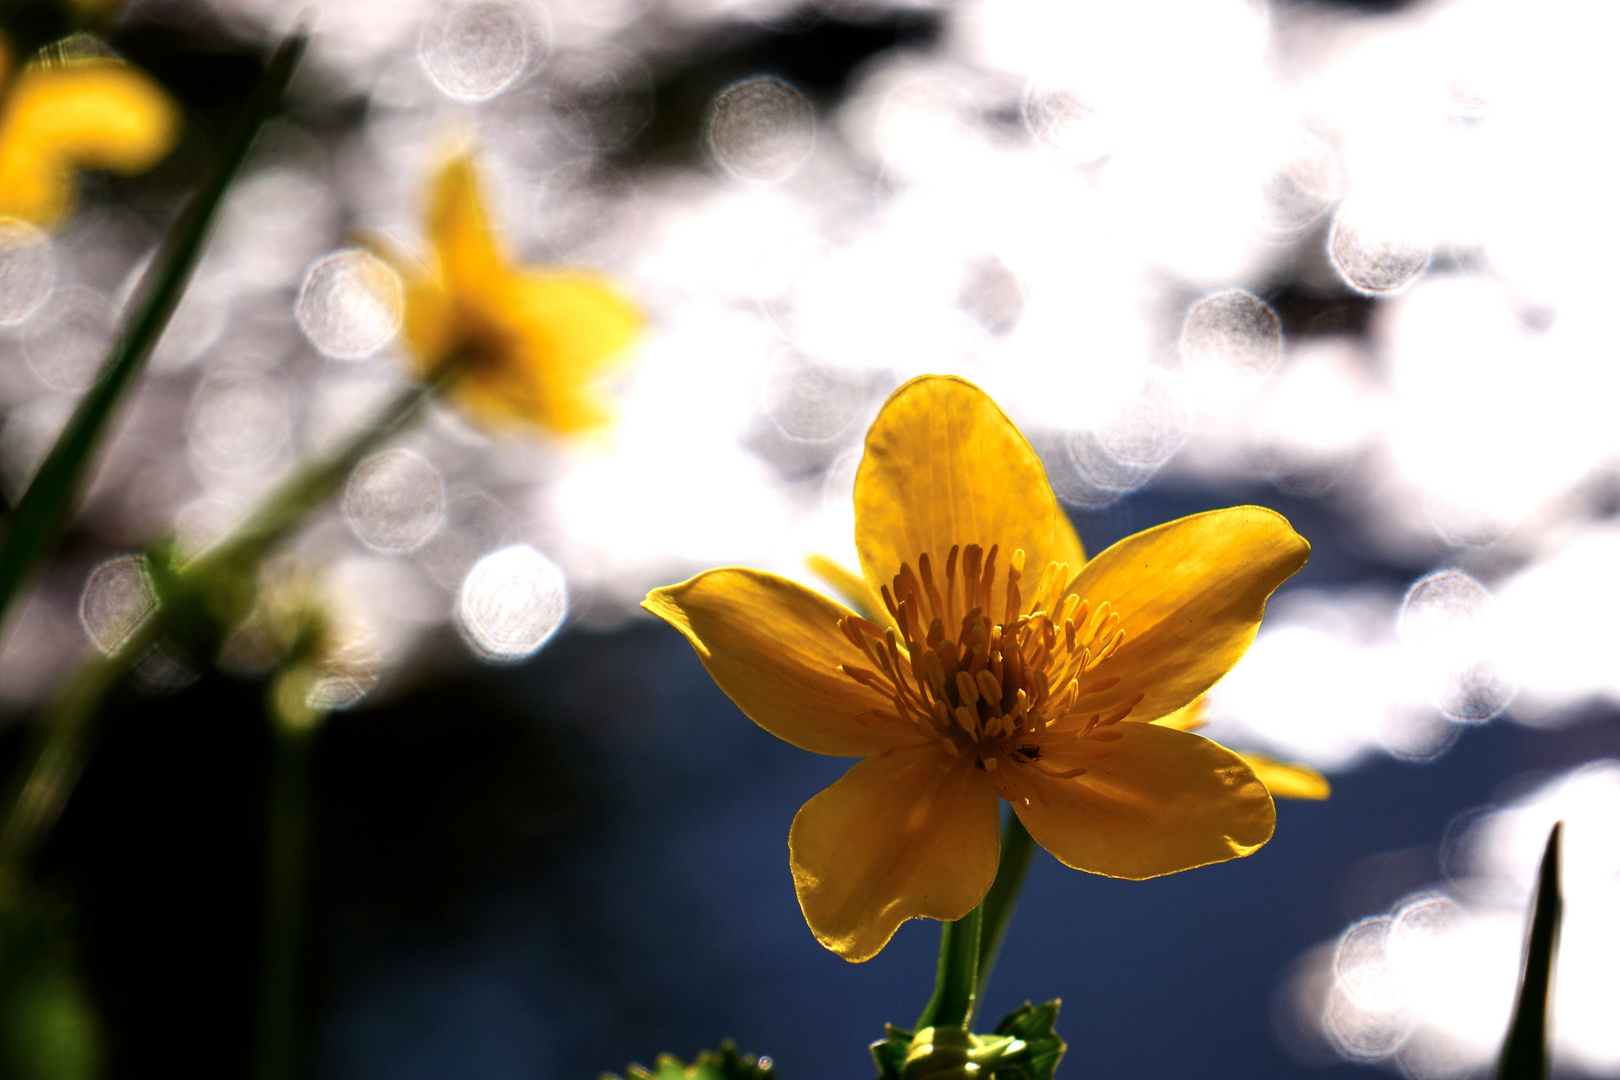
x: 43, y: 512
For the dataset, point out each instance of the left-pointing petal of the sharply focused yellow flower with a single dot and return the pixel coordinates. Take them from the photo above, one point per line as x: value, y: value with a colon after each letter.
x: 775, y: 648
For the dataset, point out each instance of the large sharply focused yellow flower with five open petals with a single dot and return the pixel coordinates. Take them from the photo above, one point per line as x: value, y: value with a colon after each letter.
x: 1008, y: 668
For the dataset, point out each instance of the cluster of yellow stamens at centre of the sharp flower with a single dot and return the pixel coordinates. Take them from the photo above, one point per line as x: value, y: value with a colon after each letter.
x: 1005, y: 694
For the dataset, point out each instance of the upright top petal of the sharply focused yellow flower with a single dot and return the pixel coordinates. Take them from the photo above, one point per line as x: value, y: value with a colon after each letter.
x: 944, y: 467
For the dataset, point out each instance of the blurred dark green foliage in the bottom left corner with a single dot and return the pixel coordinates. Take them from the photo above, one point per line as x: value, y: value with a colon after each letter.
x: 48, y: 1027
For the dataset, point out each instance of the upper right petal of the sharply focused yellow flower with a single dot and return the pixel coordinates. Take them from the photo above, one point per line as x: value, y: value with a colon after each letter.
x: 1190, y: 597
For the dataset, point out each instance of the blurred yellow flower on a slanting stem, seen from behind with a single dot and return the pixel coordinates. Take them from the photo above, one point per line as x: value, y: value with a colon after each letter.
x: 532, y: 344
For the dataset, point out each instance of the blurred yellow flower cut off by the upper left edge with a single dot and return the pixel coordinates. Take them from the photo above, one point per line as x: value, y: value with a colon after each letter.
x: 83, y: 113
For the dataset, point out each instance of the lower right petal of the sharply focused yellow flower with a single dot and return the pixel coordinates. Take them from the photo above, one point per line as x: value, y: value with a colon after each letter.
x: 1159, y: 802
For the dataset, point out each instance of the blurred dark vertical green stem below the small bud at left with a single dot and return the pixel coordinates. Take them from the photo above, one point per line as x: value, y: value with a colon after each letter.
x: 288, y: 851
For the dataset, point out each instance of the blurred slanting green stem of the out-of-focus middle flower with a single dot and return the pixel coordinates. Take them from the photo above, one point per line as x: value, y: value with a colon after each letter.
x: 211, y: 593
